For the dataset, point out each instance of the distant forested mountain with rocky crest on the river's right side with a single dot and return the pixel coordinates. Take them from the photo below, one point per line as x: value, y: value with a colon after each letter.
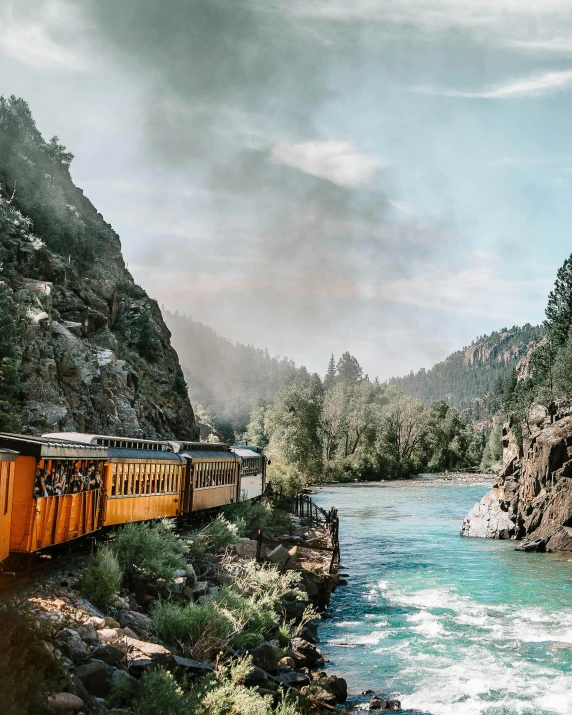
x: 469, y: 378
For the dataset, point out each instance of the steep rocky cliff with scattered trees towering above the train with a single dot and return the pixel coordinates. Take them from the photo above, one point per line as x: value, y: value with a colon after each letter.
x: 91, y: 349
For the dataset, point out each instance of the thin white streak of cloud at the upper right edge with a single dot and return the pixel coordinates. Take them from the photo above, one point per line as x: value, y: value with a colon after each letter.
x: 533, y: 86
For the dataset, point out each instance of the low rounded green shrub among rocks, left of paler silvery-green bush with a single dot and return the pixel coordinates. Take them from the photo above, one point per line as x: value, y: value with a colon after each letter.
x: 201, y: 631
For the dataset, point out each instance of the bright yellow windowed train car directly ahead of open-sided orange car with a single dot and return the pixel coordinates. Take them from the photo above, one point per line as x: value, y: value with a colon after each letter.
x: 144, y: 479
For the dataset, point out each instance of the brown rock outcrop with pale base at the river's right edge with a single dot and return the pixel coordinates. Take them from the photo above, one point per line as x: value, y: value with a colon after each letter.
x: 532, y: 497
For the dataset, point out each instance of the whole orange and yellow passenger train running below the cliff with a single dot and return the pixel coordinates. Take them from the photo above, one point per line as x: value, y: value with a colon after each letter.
x: 59, y: 487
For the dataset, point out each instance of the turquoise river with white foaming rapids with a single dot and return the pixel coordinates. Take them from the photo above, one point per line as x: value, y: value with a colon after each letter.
x: 451, y: 626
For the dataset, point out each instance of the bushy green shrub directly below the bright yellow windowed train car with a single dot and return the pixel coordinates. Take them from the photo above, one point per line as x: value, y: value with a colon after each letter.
x: 149, y: 553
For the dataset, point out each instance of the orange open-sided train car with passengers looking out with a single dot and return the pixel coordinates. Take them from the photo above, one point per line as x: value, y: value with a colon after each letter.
x: 57, y: 492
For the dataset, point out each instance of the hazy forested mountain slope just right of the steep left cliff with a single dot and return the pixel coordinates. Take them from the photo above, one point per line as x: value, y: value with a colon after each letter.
x: 228, y: 380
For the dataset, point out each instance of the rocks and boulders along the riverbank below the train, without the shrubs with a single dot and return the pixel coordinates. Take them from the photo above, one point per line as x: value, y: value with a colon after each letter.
x: 108, y: 652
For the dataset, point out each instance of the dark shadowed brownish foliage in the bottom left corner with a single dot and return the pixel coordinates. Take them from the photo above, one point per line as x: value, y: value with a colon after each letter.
x: 28, y: 670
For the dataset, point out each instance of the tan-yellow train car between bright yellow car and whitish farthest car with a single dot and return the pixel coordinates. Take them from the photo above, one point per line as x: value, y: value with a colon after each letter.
x: 213, y: 475
